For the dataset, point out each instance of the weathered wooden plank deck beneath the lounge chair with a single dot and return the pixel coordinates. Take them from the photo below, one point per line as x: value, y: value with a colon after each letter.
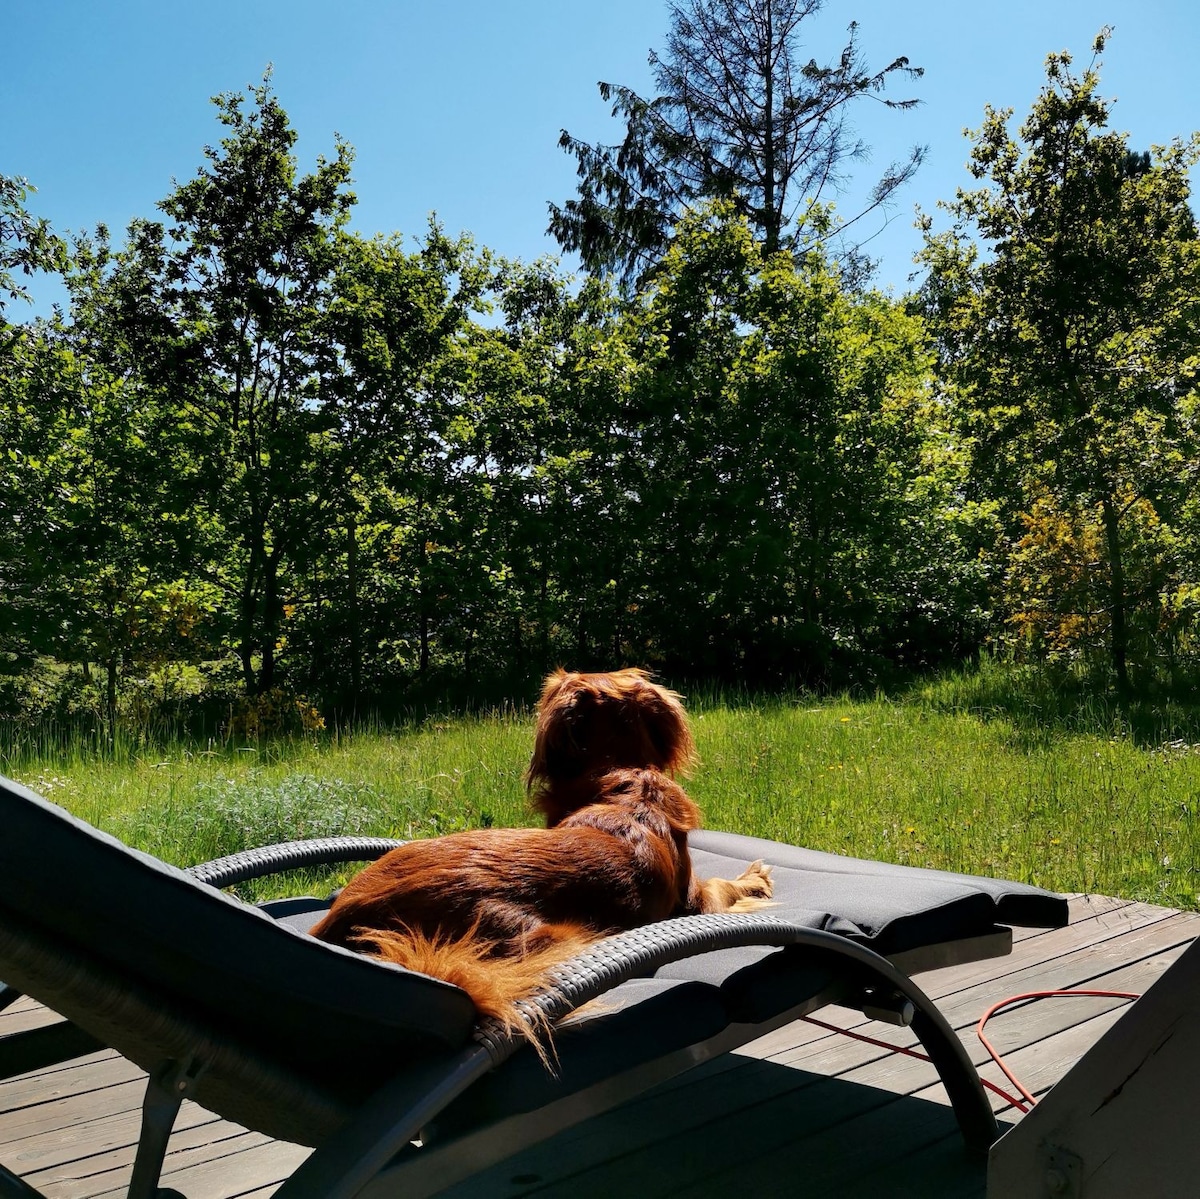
x: 803, y: 1111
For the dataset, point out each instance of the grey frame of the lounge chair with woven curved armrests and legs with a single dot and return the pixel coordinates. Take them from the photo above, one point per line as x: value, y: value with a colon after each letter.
x: 379, y: 1149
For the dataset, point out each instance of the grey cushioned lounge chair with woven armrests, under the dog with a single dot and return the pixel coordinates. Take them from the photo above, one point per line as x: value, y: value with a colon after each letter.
x: 388, y: 1074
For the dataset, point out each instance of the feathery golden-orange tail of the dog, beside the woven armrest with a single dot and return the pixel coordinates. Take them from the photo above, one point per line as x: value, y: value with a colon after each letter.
x: 496, y: 981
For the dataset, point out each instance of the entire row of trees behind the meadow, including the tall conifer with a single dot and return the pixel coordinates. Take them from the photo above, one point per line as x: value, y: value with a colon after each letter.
x: 267, y: 473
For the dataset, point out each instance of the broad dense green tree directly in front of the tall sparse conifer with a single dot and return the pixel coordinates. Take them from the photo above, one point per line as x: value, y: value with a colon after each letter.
x: 771, y: 447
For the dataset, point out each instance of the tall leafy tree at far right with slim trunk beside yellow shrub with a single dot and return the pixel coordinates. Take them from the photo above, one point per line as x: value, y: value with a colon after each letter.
x: 1065, y: 301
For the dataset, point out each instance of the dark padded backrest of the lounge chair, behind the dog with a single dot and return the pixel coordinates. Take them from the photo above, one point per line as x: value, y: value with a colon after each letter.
x: 217, y: 958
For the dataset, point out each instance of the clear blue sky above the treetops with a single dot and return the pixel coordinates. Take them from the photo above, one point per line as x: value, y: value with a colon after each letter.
x: 455, y: 106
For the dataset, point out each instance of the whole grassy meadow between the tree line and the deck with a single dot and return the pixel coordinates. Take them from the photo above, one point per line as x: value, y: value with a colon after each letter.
x: 971, y: 774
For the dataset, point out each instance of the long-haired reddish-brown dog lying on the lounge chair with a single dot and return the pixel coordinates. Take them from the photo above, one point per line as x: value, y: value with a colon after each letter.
x: 495, y: 910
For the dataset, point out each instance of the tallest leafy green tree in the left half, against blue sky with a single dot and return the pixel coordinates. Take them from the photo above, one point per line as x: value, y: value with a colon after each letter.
x: 225, y: 308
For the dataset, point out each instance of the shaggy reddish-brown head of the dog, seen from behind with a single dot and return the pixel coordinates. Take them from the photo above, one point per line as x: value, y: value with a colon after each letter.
x: 590, y: 724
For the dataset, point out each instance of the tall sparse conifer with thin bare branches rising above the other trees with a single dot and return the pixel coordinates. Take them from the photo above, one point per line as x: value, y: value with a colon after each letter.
x: 739, y: 116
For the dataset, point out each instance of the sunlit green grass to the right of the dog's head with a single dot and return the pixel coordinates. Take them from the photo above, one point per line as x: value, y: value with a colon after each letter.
x: 904, y: 783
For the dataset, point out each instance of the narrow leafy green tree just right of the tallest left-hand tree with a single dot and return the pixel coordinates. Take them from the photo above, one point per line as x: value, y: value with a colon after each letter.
x: 397, y: 334
